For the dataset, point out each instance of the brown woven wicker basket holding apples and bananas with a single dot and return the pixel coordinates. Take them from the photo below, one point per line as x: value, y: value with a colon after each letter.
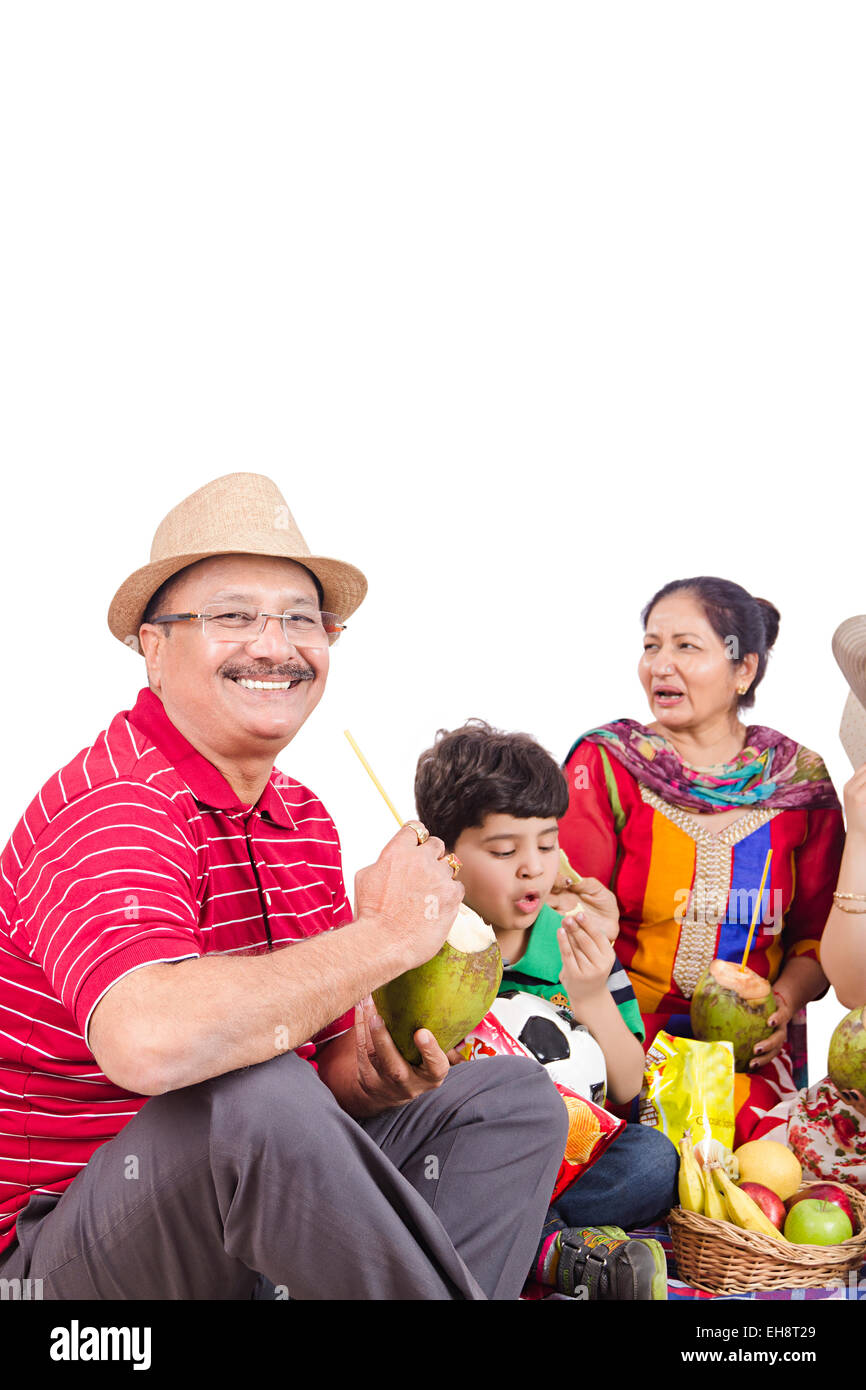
x: 722, y: 1259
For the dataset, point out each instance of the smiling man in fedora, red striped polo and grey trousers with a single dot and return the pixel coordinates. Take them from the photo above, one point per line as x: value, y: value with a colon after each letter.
x: 170, y: 974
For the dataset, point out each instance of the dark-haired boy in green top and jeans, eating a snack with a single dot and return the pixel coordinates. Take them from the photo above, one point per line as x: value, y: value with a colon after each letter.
x: 496, y: 800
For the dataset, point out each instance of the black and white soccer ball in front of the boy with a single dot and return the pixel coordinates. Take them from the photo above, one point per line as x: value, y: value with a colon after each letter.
x: 553, y: 1035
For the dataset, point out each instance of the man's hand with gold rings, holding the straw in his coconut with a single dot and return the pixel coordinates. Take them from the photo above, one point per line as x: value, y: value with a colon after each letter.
x: 411, y: 896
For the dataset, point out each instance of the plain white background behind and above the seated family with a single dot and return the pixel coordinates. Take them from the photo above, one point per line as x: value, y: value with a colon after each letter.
x: 528, y: 308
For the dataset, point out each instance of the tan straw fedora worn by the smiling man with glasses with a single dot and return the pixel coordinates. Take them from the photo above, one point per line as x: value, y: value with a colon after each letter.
x: 241, y: 514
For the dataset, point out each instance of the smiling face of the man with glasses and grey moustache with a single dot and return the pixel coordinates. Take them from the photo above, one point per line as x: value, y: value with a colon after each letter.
x: 206, y: 686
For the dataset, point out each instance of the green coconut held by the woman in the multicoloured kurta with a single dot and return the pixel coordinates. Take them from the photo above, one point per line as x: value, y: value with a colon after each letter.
x: 733, y: 1006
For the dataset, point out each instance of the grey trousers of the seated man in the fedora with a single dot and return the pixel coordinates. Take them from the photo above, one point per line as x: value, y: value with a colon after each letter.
x: 261, y: 1172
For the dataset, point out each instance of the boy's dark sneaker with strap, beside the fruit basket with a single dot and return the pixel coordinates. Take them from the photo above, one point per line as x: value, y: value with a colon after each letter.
x: 605, y: 1263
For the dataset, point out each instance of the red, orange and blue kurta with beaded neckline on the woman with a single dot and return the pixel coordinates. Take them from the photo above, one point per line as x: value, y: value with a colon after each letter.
x: 687, y: 896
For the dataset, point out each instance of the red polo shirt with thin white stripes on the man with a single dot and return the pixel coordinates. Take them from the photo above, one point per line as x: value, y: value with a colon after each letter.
x: 137, y: 851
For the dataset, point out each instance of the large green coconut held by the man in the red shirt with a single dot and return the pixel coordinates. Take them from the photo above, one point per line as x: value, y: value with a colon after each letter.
x: 450, y: 995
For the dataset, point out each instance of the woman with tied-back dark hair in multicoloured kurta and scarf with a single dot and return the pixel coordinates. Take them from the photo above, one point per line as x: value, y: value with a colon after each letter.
x: 678, y: 818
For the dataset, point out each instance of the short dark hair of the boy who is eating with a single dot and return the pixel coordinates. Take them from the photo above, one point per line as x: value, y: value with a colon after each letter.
x: 476, y: 772
